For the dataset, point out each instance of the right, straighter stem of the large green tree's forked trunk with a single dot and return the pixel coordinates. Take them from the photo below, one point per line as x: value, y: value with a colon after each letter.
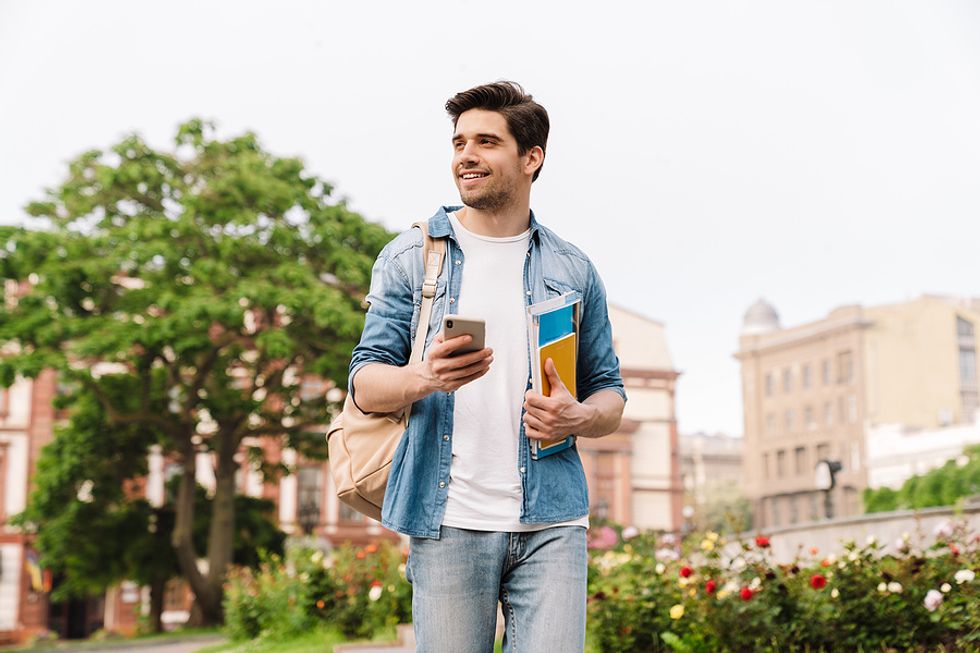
x: 222, y: 527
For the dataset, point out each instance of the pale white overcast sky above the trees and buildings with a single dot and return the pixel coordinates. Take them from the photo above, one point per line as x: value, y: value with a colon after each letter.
x: 704, y: 154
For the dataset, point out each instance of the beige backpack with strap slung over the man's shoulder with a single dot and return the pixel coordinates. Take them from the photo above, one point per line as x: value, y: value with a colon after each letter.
x: 362, y: 445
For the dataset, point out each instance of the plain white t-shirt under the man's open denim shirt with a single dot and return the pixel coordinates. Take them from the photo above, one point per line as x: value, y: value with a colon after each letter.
x: 485, y: 483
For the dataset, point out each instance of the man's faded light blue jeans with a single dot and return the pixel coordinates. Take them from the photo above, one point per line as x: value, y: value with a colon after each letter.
x: 539, y: 578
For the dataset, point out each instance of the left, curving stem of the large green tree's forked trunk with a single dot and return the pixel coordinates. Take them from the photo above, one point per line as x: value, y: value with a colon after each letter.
x: 207, y: 596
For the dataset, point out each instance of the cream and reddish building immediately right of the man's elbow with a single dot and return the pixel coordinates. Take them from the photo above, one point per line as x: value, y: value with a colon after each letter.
x: 634, y: 474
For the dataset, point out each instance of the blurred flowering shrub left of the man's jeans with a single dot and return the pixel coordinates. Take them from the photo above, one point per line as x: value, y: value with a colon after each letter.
x: 360, y: 590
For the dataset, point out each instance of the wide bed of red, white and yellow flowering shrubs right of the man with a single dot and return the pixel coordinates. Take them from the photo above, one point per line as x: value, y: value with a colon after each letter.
x: 713, y: 595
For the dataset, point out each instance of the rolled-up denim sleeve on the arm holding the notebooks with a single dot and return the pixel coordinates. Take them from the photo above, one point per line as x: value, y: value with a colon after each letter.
x: 598, y: 364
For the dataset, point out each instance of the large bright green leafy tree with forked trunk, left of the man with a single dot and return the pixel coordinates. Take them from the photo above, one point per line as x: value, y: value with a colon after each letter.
x: 209, y: 280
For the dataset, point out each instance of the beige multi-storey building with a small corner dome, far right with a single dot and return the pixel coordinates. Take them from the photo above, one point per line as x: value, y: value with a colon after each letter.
x: 813, y: 391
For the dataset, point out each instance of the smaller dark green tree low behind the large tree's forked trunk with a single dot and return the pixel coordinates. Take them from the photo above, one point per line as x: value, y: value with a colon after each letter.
x: 95, y: 531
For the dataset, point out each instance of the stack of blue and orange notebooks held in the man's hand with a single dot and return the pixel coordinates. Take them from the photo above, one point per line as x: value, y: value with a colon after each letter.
x: 553, y: 328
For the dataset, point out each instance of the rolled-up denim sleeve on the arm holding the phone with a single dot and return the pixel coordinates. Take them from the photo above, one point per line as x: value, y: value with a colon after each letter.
x: 387, y: 326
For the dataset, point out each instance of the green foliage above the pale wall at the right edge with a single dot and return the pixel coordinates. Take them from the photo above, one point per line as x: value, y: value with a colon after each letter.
x: 943, y: 486
